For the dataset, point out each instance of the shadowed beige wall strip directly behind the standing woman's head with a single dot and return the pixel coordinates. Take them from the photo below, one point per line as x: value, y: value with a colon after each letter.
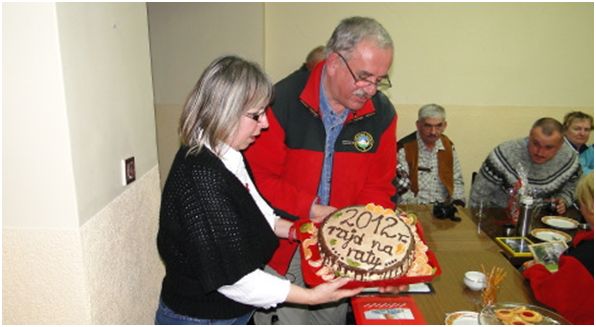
x: 185, y: 38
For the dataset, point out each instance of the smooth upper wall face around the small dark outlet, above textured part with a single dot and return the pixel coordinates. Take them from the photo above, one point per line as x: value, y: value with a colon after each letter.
x: 107, y: 82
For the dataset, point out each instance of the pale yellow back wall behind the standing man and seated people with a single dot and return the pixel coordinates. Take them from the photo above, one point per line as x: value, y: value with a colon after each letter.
x: 495, y: 67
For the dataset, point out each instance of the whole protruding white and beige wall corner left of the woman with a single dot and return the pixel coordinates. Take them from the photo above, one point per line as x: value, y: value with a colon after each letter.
x: 77, y: 246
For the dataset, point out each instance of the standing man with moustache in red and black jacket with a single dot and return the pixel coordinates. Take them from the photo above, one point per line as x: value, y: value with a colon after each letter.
x: 330, y: 144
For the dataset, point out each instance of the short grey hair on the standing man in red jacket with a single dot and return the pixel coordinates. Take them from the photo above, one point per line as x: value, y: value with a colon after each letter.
x: 353, y: 30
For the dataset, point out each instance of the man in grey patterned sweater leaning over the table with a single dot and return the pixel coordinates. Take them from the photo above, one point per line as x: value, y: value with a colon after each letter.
x: 553, y: 170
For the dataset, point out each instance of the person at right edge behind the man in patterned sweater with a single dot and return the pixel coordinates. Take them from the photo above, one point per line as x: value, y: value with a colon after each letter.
x: 577, y: 127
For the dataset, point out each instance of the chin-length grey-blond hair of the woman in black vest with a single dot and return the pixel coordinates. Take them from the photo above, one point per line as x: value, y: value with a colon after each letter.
x: 227, y: 88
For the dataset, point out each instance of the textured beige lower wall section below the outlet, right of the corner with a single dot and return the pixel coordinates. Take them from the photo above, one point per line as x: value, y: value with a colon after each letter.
x: 123, y: 271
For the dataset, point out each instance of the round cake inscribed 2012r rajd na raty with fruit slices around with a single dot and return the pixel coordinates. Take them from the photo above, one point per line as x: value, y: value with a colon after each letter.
x: 368, y: 243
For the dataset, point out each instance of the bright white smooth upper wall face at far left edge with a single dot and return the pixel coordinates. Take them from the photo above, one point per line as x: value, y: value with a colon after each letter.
x: 36, y: 137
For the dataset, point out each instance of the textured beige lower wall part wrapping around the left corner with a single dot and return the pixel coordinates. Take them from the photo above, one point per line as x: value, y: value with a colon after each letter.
x: 106, y: 272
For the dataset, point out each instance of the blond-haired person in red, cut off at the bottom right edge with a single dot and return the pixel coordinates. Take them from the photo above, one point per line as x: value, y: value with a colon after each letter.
x: 570, y: 290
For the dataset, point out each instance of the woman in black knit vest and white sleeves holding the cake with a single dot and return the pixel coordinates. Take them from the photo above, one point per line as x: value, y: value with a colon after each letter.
x: 216, y: 233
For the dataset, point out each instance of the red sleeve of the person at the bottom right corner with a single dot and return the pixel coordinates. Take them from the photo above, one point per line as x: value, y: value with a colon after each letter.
x: 570, y: 290
